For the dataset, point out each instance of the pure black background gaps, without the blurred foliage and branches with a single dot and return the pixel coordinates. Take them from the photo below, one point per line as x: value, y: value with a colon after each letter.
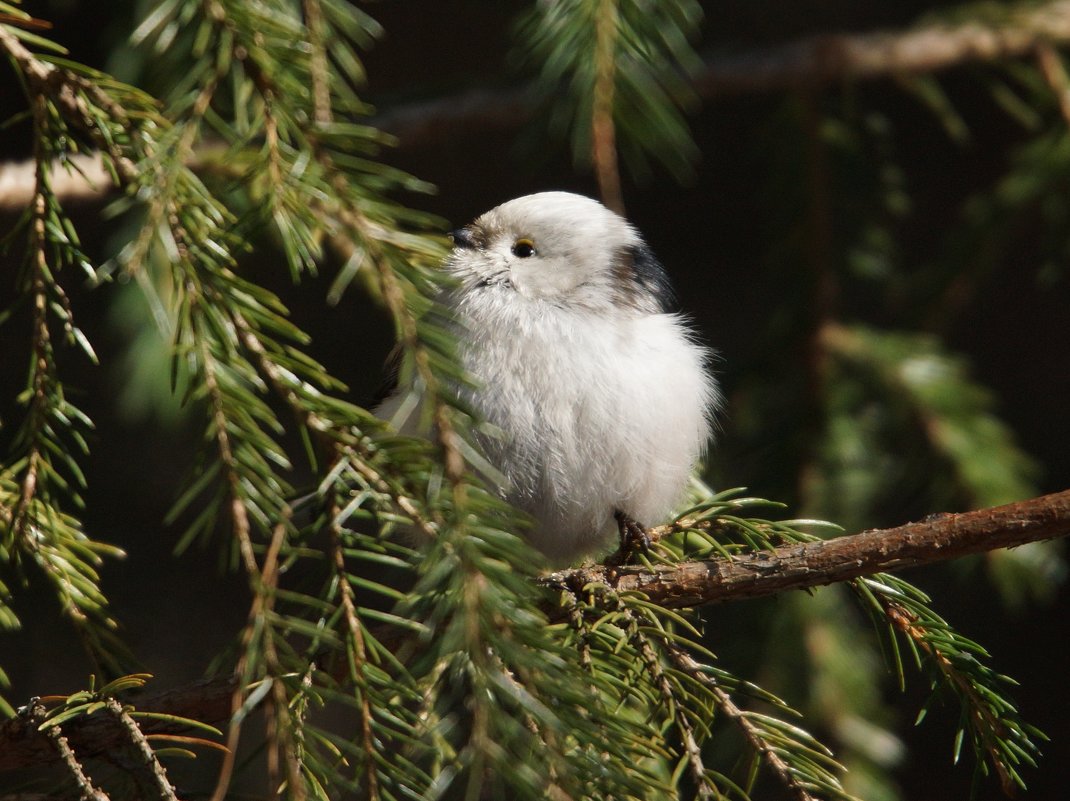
x: 711, y: 234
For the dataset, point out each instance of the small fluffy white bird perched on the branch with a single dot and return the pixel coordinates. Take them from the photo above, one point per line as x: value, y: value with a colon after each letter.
x: 601, y: 396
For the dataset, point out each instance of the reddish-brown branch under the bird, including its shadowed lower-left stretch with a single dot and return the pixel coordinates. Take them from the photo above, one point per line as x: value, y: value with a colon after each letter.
x: 690, y: 584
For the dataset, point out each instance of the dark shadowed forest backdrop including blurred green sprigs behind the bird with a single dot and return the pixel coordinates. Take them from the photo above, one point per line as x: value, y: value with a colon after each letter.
x: 822, y: 238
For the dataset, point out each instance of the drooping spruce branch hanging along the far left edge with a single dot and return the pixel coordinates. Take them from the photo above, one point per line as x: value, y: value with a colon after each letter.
x: 41, y: 480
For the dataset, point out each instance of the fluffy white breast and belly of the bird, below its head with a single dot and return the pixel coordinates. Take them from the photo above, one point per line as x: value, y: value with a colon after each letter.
x: 598, y: 413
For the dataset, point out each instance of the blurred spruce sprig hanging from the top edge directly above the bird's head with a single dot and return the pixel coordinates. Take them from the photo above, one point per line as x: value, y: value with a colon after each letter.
x: 616, y: 76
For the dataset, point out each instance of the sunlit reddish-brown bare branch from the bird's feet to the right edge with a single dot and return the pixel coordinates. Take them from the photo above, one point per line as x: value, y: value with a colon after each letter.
x: 799, y: 566
